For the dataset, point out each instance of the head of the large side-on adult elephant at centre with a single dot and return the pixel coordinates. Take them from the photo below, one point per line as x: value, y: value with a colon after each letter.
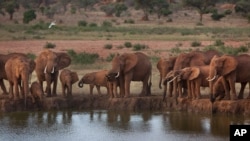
x: 122, y: 64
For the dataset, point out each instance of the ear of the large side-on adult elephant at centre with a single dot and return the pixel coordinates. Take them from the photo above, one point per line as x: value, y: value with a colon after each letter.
x: 130, y: 60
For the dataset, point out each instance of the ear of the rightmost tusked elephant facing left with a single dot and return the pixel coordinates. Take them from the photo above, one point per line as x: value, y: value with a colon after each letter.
x: 229, y: 64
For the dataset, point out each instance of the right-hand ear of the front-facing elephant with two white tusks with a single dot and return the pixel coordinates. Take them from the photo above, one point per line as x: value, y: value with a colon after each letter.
x: 64, y: 60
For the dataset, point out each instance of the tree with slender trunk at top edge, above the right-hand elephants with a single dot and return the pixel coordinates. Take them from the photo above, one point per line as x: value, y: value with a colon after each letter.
x: 202, y: 6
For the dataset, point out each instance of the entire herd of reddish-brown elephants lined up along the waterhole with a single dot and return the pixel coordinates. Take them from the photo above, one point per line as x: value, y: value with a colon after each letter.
x: 184, y: 73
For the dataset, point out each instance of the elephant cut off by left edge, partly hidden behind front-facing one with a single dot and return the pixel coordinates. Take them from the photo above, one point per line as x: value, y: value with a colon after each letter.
x: 3, y: 60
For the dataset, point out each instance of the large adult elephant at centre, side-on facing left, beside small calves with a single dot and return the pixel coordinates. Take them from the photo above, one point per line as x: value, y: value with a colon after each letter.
x: 131, y: 67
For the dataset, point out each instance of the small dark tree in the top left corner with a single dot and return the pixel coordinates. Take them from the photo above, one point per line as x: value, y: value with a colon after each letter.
x: 10, y: 7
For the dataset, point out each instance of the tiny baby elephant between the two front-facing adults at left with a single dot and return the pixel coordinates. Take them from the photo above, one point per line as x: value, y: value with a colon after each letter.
x: 36, y: 91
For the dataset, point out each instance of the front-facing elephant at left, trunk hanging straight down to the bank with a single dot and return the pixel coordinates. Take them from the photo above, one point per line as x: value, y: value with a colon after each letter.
x: 18, y: 70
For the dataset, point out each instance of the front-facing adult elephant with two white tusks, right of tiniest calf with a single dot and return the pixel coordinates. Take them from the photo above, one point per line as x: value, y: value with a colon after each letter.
x: 47, y: 69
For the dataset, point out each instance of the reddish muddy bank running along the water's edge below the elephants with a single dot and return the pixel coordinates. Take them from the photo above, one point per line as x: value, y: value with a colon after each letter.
x: 153, y: 103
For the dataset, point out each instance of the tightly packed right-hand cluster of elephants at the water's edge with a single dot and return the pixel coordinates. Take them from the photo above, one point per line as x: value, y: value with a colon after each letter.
x: 187, y: 72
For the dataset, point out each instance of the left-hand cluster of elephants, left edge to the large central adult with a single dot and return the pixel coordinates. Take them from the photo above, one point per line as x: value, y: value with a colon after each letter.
x: 17, y: 68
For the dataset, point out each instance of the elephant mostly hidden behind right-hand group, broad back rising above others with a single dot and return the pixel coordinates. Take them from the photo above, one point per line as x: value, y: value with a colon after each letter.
x: 194, y: 58
